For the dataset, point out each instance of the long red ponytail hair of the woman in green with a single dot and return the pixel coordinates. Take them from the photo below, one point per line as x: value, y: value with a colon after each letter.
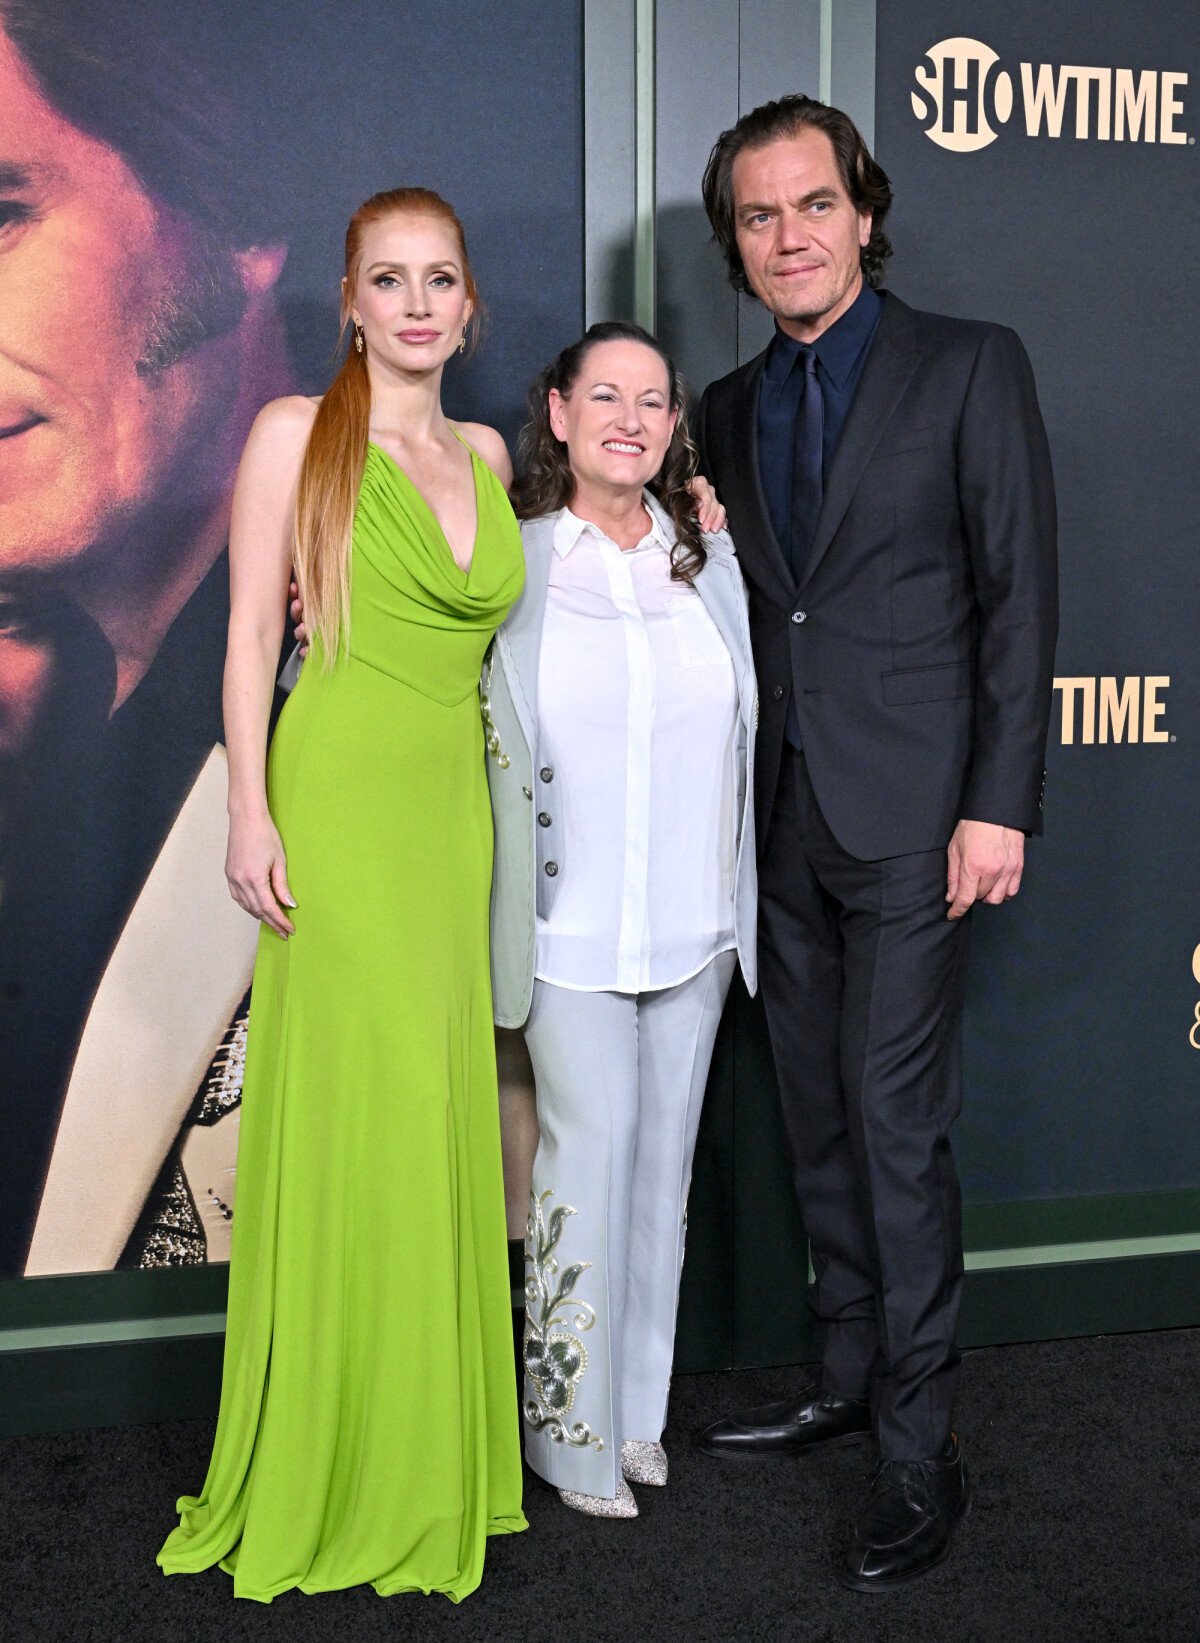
x: 336, y: 453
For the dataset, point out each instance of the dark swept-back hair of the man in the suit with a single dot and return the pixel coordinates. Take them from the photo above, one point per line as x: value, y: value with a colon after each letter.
x: 864, y: 180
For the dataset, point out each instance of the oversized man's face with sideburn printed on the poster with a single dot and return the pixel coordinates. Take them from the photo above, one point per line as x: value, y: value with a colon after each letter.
x: 108, y: 398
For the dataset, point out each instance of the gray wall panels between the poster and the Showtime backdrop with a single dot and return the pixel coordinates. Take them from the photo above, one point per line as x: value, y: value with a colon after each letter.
x: 713, y: 60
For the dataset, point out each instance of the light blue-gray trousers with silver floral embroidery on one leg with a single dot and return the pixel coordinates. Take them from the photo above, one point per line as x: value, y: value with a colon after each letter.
x: 621, y: 1082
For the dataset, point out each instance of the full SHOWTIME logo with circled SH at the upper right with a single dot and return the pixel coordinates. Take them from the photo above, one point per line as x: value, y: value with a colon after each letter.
x: 964, y: 94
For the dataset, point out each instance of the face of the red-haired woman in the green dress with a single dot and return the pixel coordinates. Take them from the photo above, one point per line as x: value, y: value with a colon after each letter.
x: 410, y: 293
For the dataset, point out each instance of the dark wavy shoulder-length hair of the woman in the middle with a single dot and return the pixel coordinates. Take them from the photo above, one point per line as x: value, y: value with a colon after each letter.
x: 547, y: 482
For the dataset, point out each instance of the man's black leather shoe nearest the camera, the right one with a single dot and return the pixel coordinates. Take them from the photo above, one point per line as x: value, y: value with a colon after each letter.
x: 908, y: 1522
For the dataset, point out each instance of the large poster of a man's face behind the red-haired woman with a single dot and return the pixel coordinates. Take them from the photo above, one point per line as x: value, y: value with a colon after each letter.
x: 173, y: 198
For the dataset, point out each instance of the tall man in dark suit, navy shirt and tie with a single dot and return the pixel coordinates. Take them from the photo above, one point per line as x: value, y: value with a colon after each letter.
x: 890, y: 494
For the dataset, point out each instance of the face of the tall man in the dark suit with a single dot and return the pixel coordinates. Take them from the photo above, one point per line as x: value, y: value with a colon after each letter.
x: 798, y: 232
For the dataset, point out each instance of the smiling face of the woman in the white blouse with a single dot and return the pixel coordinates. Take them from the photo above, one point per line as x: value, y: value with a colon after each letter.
x: 617, y: 421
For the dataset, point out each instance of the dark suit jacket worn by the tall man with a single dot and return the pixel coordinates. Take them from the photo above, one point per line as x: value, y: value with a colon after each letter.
x: 921, y: 638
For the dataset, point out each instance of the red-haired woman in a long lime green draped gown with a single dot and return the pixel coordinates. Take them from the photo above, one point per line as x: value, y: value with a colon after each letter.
x: 367, y: 1424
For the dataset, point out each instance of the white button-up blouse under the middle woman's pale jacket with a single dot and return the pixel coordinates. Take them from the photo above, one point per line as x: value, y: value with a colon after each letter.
x: 637, y: 706
